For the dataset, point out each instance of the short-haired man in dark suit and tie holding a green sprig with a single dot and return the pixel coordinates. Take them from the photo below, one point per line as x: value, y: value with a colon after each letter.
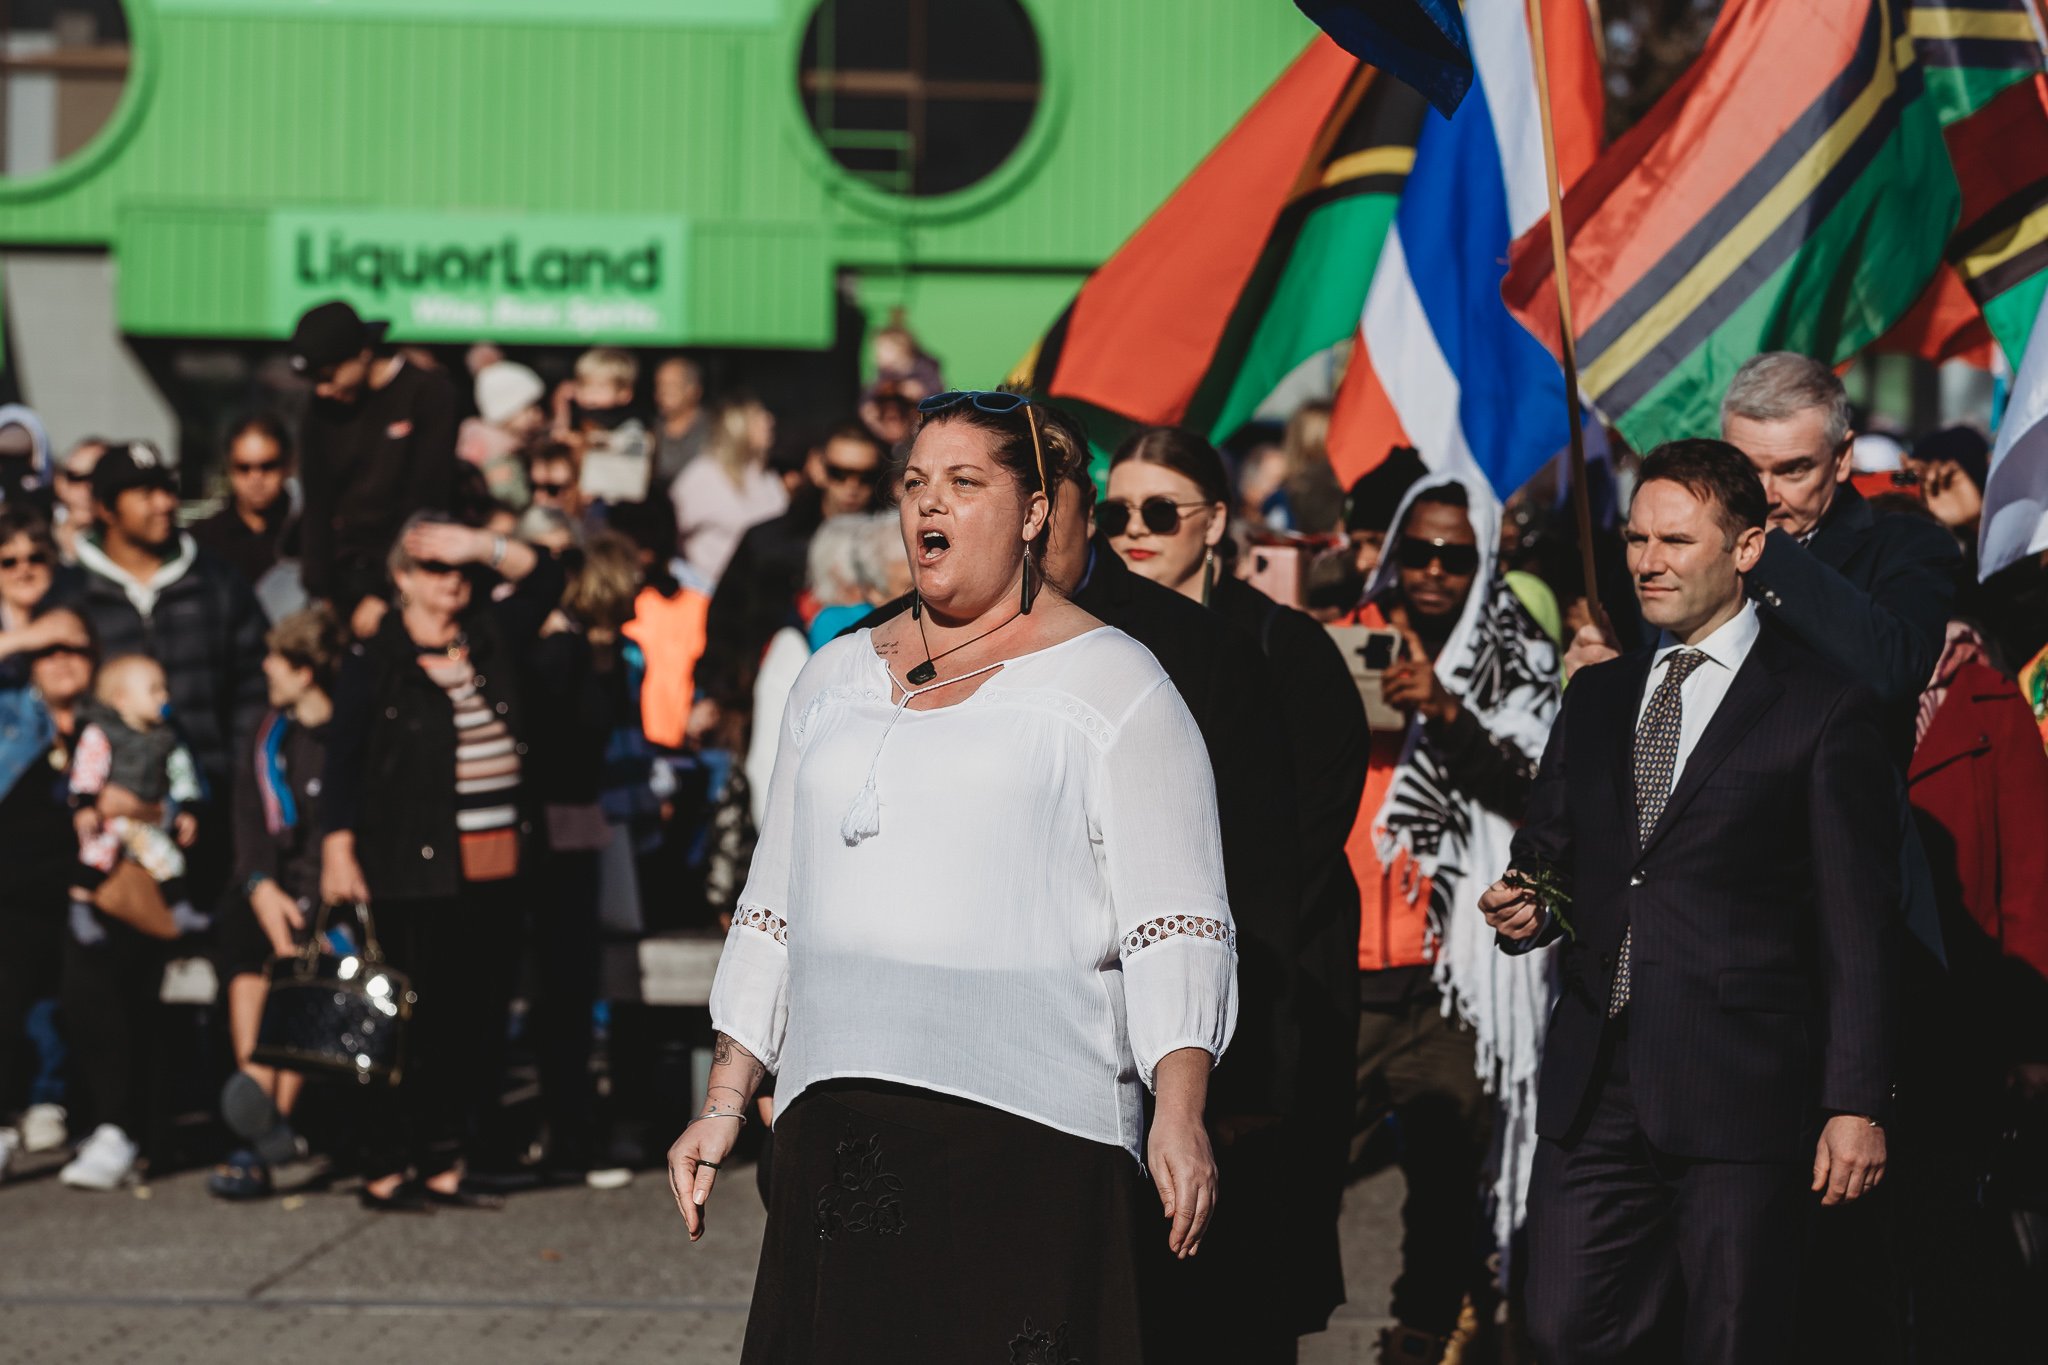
x: 1719, y: 822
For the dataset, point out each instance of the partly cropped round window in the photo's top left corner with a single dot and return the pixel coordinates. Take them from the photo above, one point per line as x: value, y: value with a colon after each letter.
x: 62, y: 71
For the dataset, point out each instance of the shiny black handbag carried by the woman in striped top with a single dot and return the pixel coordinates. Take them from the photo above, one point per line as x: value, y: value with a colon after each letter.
x: 335, y: 1014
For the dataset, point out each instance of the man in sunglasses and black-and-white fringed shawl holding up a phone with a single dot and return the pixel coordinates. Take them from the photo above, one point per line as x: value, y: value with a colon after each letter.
x: 1476, y: 682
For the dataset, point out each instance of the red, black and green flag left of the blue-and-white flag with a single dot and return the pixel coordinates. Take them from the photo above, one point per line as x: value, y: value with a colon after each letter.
x: 1256, y: 267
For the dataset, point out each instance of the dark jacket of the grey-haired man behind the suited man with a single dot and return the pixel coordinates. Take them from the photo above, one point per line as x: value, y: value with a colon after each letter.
x: 1871, y: 595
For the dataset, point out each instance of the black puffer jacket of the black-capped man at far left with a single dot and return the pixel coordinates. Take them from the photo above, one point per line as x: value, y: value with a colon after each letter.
x: 206, y: 629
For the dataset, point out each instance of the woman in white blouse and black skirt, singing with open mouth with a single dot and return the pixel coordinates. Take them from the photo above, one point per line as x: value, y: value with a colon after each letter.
x: 984, y: 916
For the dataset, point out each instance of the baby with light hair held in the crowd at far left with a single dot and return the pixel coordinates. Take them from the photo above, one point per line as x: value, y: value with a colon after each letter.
x: 132, y: 744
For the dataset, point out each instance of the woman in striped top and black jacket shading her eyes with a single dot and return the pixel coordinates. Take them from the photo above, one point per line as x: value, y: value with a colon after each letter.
x: 427, y: 809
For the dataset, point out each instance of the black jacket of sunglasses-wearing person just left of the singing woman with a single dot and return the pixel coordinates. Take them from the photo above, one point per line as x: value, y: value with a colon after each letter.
x: 757, y: 597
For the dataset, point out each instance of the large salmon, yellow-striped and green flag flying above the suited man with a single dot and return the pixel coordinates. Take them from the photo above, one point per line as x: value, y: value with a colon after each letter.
x: 1795, y: 191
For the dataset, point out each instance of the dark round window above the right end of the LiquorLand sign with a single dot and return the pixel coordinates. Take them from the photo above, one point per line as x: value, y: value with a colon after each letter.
x: 921, y: 97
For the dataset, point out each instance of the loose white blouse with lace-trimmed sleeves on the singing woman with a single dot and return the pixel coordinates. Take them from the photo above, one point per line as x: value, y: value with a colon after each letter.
x: 1039, y: 916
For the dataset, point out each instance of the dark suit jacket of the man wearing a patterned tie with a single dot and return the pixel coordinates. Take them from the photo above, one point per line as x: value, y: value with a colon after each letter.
x: 1762, y: 908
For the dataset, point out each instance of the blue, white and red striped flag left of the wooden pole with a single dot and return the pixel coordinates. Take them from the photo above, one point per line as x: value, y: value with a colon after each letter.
x: 1441, y: 363
